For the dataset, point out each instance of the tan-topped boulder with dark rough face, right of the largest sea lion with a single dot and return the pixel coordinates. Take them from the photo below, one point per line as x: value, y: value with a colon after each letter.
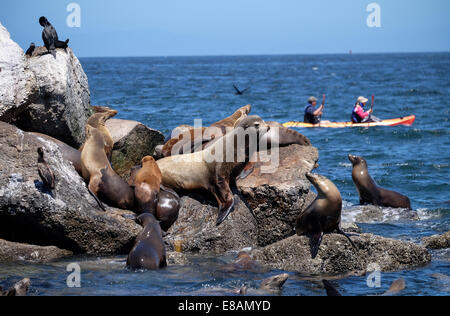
x: 278, y: 198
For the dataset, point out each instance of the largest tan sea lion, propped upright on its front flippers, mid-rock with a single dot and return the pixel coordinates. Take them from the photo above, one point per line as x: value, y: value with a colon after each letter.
x: 201, y: 170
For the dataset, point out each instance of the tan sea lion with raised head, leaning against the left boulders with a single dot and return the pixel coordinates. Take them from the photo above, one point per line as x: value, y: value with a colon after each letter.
x: 104, y: 183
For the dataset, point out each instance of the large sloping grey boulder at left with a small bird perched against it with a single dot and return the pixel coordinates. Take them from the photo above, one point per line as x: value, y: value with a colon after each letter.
x: 72, y: 221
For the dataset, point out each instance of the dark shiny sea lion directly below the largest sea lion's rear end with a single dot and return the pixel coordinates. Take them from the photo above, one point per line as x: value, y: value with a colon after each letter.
x: 168, y: 207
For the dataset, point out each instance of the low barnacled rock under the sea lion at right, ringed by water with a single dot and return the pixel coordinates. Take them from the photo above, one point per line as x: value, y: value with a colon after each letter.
x: 337, y: 256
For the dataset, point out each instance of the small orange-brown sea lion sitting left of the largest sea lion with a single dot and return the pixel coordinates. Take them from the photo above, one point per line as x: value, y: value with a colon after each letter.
x: 146, y: 186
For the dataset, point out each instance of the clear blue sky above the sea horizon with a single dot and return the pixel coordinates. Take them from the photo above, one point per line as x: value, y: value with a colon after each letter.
x: 232, y: 27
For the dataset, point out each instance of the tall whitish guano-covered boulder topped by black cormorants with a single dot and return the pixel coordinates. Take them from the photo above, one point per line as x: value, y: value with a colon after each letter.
x: 43, y: 94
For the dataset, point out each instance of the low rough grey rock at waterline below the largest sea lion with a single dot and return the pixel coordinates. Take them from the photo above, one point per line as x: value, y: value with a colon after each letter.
x: 195, y: 230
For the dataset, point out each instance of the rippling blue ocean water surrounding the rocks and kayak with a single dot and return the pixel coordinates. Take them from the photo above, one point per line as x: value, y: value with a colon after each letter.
x: 166, y: 92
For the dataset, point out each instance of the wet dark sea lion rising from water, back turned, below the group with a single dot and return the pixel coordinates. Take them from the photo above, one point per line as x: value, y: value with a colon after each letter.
x: 149, y: 252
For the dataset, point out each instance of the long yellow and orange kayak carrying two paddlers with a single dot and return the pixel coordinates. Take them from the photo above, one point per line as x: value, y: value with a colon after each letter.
x: 408, y: 121
